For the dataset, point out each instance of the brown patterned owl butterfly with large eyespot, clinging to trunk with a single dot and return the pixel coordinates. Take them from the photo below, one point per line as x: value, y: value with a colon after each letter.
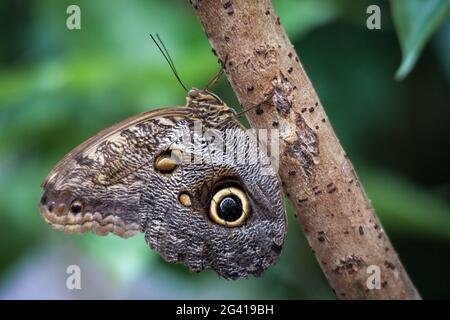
x: 197, y: 194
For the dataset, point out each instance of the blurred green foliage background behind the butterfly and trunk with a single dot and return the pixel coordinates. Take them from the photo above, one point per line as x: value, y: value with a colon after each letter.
x: 59, y: 87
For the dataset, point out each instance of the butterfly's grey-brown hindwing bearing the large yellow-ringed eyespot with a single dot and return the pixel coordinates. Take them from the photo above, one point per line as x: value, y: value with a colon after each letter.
x: 208, y: 233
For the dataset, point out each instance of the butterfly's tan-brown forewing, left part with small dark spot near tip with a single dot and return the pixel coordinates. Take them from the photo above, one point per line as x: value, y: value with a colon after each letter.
x: 94, y: 187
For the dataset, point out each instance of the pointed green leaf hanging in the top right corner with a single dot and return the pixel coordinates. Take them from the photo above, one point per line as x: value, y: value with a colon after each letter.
x: 416, y: 21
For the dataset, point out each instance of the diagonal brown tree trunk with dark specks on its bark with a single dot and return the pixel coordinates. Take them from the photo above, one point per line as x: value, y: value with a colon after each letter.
x: 318, y: 178
